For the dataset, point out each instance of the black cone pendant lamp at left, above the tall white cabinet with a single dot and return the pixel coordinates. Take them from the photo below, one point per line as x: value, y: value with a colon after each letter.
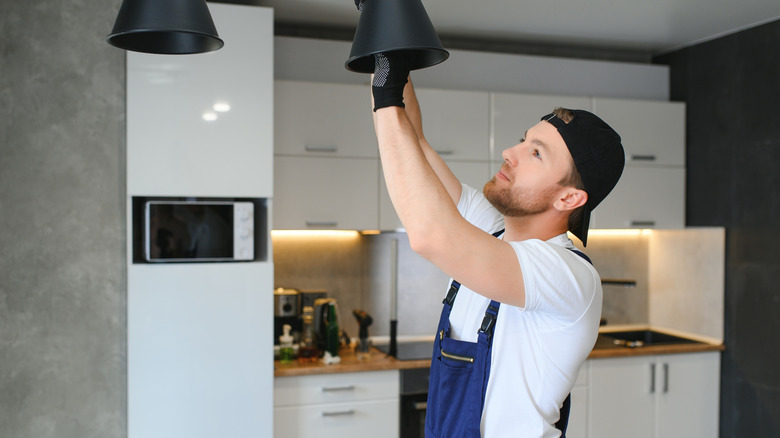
x: 171, y: 27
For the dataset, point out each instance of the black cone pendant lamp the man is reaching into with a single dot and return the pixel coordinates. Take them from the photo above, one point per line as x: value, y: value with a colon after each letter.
x: 395, y: 26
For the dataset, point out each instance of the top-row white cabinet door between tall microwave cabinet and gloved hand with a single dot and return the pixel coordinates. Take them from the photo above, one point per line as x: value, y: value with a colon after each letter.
x: 323, y: 119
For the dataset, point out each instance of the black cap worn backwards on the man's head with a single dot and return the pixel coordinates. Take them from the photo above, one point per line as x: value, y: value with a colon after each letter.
x: 598, y: 156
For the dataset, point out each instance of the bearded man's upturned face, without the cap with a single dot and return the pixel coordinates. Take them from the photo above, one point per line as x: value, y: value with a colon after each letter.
x: 527, y: 183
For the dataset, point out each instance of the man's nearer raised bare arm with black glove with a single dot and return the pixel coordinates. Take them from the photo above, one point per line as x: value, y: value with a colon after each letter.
x: 435, y: 228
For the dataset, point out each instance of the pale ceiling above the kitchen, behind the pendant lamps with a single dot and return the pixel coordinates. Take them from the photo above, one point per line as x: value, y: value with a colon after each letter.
x: 650, y: 26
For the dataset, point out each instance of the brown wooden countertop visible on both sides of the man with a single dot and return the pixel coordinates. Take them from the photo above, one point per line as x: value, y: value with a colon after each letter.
x: 378, y: 361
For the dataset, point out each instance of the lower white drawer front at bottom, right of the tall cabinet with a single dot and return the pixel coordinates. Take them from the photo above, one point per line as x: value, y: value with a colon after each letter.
x: 379, y: 419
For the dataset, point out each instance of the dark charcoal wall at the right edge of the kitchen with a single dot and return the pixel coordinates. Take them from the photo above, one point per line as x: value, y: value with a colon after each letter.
x: 732, y: 89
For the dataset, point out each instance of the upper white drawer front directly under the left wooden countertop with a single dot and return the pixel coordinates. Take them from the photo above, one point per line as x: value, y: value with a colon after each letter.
x: 335, y: 388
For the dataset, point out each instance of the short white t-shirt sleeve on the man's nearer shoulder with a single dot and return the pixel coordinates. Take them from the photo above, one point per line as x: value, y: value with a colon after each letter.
x: 557, y: 281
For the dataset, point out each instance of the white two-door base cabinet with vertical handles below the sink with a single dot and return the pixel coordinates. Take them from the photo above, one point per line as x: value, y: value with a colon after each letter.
x: 655, y: 396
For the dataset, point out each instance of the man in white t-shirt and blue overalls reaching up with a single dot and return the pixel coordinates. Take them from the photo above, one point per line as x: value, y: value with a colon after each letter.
x: 524, y: 312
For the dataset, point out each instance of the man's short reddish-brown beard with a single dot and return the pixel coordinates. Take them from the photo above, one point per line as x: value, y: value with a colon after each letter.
x: 518, y: 201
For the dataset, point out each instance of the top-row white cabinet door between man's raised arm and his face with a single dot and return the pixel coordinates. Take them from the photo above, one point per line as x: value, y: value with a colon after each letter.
x: 456, y: 123
